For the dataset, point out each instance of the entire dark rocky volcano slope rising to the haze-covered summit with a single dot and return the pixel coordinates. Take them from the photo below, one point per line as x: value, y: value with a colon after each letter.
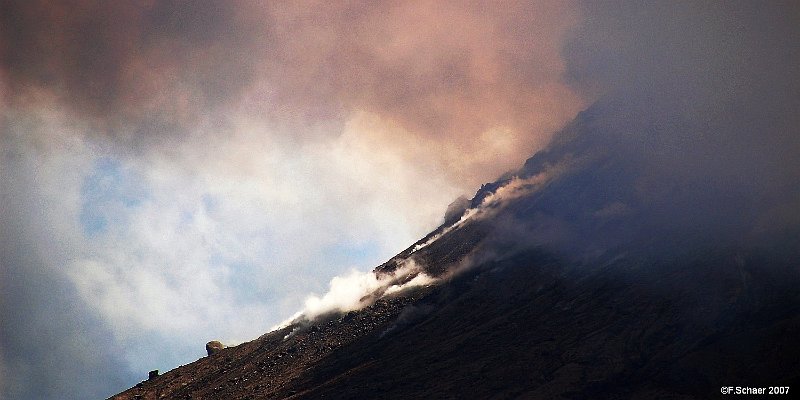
x: 571, y: 278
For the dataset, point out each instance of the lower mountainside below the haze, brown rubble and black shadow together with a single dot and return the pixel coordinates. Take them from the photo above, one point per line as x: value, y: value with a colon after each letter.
x: 528, y: 327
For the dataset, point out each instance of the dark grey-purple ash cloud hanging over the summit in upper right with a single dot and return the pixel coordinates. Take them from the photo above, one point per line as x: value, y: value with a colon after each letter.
x: 703, y: 97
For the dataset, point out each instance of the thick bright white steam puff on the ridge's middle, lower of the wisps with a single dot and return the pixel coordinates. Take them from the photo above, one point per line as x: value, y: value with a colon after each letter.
x: 357, y: 290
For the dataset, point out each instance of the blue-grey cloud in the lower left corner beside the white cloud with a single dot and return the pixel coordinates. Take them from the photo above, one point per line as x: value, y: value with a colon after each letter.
x: 49, y: 346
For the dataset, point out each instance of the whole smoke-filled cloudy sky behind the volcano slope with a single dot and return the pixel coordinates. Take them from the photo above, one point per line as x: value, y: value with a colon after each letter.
x: 177, y: 172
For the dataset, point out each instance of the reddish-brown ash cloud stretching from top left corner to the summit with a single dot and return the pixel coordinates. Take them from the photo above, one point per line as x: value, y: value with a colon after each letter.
x: 479, y: 83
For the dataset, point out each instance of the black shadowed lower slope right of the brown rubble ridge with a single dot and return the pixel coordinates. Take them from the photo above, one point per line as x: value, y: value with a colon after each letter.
x: 528, y: 327
